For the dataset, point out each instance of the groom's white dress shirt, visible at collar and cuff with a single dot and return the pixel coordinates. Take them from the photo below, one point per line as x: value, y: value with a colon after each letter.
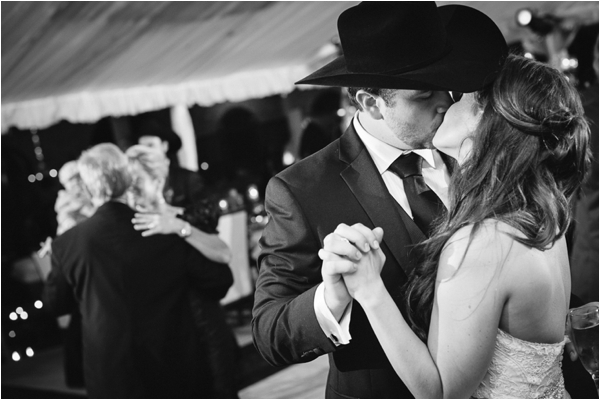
x: 436, y: 176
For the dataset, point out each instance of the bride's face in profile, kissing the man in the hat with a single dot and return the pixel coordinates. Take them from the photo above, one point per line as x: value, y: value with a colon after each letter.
x: 453, y: 137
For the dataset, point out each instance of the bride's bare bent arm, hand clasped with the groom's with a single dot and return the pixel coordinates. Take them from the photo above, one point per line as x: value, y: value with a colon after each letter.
x: 464, y: 323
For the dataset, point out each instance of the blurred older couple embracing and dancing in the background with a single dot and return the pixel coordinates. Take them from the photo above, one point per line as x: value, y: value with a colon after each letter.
x: 148, y: 303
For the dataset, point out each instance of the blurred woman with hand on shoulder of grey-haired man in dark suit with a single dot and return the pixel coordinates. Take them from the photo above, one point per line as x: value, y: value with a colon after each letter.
x: 197, y: 224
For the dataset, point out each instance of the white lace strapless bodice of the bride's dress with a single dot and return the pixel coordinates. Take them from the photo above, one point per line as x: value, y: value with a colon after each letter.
x: 521, y: 369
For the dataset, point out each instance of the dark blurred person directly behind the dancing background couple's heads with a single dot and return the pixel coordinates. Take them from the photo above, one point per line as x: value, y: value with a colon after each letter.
x: 181, y: 186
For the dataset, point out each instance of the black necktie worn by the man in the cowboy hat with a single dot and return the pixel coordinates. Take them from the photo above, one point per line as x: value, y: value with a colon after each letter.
x: 424, y: 203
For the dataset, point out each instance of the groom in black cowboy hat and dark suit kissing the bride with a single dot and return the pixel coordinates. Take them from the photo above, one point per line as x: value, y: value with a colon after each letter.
x: 400, y: 60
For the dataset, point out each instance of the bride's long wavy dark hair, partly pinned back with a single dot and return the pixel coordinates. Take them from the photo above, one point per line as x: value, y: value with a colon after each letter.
x: 529, y: 156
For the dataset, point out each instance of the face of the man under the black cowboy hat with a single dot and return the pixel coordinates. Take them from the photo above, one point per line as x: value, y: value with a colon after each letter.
x: 414, y: 116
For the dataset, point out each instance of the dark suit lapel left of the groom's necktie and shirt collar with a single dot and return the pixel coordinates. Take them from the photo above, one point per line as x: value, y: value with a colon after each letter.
x: 368, y: 187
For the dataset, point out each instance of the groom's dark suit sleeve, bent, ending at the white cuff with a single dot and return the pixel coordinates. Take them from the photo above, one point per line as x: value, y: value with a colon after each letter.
x: 284, y: 326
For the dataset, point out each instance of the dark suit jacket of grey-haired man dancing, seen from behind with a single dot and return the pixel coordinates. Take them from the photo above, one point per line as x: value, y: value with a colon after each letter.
x: 138, y: 332
